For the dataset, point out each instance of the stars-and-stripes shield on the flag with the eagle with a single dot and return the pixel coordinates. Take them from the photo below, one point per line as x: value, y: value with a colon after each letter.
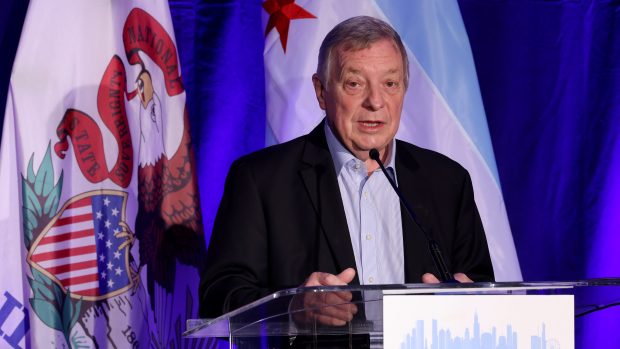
x: 85, y: 247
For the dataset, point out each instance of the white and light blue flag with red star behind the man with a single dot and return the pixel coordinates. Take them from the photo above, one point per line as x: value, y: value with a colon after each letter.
x: 443, y: 109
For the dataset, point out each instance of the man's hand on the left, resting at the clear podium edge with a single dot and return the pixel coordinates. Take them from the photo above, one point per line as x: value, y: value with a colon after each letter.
x: 327, y: 308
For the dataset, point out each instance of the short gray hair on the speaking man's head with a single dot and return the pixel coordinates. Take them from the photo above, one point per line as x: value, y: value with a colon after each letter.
x: 354, y: 34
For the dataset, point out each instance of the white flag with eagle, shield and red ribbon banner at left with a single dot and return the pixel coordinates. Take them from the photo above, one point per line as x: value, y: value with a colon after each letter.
x: 100, y: 231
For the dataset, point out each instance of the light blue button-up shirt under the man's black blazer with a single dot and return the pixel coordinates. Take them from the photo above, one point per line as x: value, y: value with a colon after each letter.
x: 373, y: 215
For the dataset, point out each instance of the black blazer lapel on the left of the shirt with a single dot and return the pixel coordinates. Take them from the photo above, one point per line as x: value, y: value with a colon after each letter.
x: 319, y: 178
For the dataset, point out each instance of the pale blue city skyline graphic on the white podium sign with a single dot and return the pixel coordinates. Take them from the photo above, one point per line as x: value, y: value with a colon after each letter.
x: 474, y: 338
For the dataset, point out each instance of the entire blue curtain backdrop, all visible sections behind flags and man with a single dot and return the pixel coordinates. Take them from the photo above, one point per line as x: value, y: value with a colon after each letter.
x: 549, y: 73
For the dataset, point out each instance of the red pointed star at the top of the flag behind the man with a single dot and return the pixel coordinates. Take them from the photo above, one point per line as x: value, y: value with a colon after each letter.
x: 281, y: 13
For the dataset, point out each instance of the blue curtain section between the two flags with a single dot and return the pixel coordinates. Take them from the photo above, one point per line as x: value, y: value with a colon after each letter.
x: 221, y: 48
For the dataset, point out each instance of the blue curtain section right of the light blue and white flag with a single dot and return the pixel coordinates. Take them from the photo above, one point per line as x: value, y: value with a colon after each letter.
x: 549, y: 73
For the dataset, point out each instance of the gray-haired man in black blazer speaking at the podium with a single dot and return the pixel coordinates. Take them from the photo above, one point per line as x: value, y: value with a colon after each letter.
x: 318, y: 211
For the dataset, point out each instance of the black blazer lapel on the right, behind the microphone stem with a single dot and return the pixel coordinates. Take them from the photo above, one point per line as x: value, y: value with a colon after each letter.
x: 412, y: 185
